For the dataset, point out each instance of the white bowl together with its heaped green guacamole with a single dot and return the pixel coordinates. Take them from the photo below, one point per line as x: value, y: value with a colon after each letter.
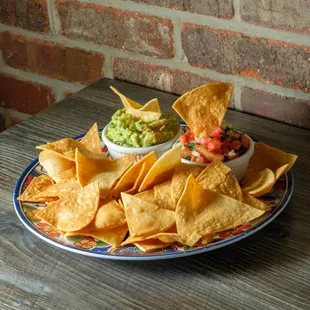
x: 128, y: 134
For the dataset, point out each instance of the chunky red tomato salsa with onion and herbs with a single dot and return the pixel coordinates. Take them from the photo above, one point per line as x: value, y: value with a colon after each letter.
x: 223, y: 143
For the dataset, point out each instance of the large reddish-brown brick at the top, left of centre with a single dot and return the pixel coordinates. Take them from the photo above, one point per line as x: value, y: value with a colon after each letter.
x: 144, y: 34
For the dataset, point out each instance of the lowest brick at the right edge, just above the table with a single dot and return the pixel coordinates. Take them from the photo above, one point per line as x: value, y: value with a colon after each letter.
x: 285, y: 109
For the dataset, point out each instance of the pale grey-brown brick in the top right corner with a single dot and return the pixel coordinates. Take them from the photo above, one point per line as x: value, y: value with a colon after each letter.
x: 279, y: 14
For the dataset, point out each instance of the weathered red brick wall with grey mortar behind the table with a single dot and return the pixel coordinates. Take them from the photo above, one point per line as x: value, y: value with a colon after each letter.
x: 52, y: 48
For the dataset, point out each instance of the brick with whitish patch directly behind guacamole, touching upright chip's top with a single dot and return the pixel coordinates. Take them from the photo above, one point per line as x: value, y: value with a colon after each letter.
x: 158, y: 77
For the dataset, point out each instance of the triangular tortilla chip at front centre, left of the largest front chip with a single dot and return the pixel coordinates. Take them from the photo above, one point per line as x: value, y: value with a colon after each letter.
x: 145, y: 218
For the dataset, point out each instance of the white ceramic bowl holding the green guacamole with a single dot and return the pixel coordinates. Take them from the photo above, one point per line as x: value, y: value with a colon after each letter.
x: 117, y: 151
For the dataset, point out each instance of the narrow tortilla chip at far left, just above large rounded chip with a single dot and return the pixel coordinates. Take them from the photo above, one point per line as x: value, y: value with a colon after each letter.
x: 61, y: 189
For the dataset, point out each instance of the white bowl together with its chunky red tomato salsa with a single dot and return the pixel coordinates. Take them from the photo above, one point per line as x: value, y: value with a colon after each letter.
x: 224, y: 143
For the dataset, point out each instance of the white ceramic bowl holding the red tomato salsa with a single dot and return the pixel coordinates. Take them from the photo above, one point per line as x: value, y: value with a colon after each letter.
x: 238, y: 166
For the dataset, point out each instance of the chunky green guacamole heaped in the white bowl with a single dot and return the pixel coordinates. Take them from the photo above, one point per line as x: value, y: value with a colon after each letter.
x: 127, y: 130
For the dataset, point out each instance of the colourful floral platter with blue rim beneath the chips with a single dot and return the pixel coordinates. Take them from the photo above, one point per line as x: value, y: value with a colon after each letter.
x: 279, y: 194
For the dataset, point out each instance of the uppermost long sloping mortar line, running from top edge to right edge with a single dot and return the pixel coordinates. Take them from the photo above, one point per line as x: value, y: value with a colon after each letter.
x: 233, y: 24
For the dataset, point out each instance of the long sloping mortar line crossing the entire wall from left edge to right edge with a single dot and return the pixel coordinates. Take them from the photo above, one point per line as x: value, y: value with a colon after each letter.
x: 173, y: 64
